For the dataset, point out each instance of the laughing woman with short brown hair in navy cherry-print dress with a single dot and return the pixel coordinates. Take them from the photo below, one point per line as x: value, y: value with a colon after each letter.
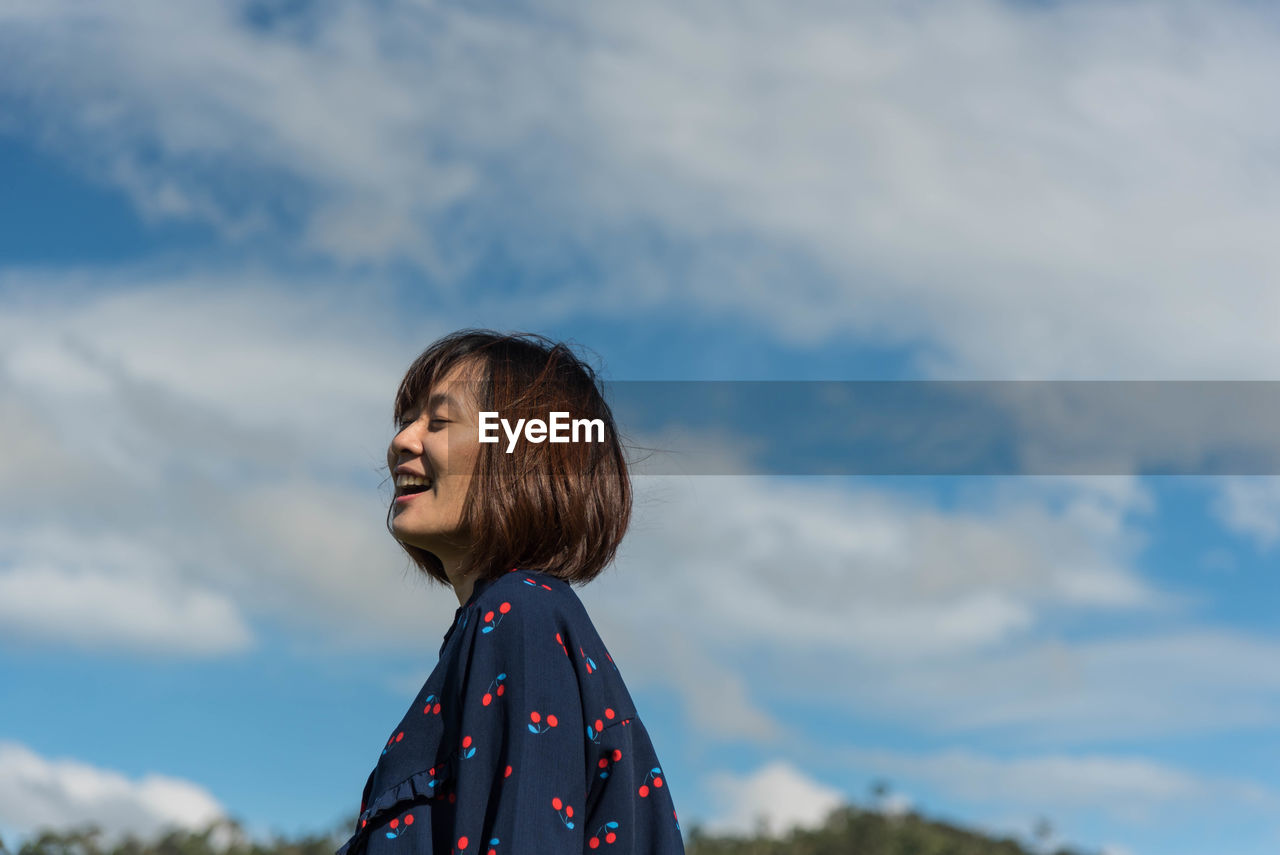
x: 525, y: 738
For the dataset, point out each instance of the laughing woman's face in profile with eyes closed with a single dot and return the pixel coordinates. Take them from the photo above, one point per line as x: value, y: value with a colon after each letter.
x: 438, y: 440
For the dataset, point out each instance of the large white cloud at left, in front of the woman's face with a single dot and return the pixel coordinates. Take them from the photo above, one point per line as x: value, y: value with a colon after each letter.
x: 193, y: 452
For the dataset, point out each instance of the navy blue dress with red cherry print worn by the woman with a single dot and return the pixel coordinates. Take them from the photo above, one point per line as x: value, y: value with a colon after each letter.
x: 523, y: 742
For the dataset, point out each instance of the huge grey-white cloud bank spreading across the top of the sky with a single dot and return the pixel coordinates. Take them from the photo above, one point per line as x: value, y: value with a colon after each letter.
x: 1037, y: 191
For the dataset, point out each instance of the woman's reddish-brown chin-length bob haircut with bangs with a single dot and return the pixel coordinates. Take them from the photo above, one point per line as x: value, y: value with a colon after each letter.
x: 561, y: 509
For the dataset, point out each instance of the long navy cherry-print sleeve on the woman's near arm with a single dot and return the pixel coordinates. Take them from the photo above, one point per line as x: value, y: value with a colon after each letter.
x: 520, y: 760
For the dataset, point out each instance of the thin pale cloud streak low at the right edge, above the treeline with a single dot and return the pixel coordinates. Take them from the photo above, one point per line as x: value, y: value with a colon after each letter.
x: 1055, y: 693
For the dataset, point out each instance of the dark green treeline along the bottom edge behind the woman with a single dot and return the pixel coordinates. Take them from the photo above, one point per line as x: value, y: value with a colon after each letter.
x: 848, y: 831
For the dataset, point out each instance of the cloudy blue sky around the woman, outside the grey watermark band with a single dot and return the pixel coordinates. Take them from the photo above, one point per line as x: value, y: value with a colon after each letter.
x: 226, y: 231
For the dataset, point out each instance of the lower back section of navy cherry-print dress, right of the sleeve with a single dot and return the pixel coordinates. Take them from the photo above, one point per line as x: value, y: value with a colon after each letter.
x: 630, y: 807
